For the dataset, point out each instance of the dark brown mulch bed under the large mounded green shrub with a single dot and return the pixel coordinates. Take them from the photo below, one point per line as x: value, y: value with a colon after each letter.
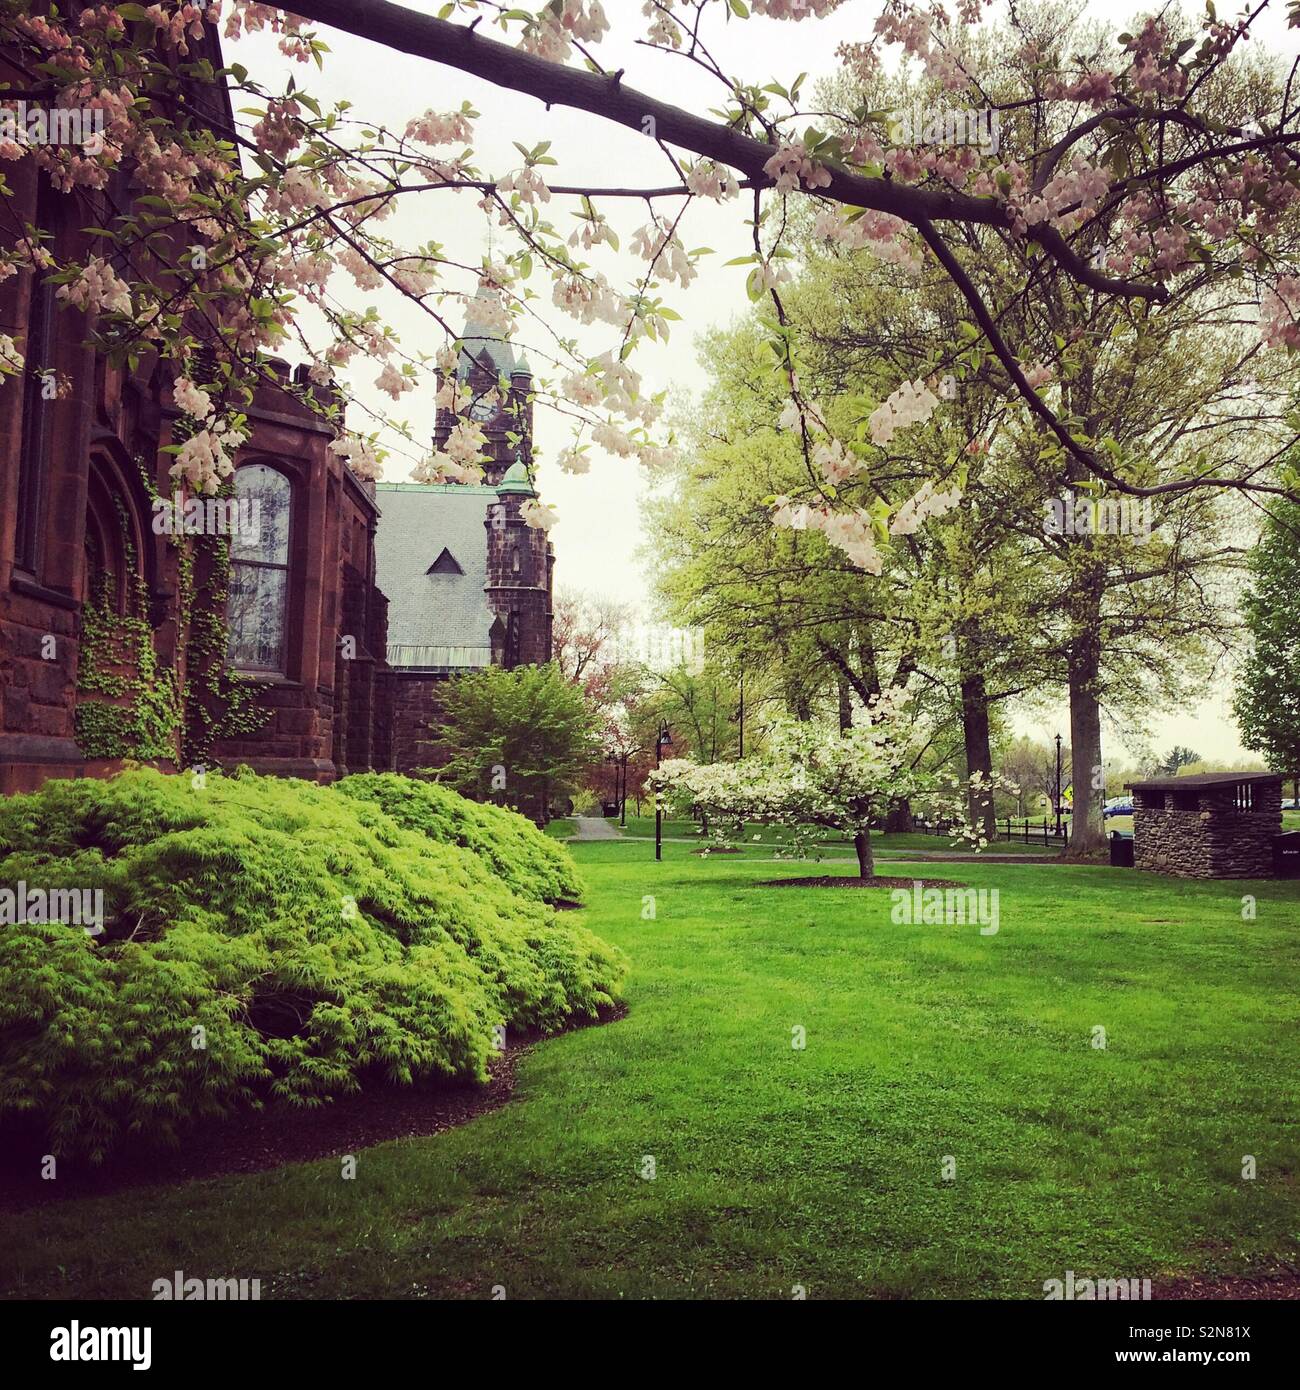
x: 272, y: 1138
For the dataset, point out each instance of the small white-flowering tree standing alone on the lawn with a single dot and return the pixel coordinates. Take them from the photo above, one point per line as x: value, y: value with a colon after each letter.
x: 813, y: 776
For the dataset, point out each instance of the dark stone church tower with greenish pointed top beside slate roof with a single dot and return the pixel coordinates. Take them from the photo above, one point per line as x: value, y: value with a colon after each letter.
x: 521, y: 561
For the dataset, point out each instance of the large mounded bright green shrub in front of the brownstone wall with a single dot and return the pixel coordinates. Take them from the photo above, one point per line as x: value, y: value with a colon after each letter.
x: 268, y: 939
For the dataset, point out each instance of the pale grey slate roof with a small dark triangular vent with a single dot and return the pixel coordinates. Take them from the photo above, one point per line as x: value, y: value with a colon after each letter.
x: 436, y: 622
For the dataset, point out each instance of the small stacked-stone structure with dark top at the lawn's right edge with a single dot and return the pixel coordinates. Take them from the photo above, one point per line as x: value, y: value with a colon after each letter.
x: 1212, y: 840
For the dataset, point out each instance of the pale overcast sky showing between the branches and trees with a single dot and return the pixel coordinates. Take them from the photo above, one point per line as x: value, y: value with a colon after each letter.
x: 599, y: 537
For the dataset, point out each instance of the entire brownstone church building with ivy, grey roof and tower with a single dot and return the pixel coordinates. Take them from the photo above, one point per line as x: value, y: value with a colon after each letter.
x: 316, y: 648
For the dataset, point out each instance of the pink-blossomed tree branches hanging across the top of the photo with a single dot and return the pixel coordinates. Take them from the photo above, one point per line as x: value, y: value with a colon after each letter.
x: 1124, y: 180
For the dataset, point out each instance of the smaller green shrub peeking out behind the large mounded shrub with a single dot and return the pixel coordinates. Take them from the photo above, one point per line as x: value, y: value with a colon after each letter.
x: 511, y: 844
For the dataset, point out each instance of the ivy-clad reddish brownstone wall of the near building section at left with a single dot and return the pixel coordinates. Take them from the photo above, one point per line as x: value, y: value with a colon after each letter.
x: 102, y: 619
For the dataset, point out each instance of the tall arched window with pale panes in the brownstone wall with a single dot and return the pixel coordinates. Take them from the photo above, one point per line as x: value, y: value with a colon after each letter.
x: 258, y: 608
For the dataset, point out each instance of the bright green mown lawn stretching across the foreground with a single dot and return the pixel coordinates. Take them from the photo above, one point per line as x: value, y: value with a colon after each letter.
x: 820, y: 1167
